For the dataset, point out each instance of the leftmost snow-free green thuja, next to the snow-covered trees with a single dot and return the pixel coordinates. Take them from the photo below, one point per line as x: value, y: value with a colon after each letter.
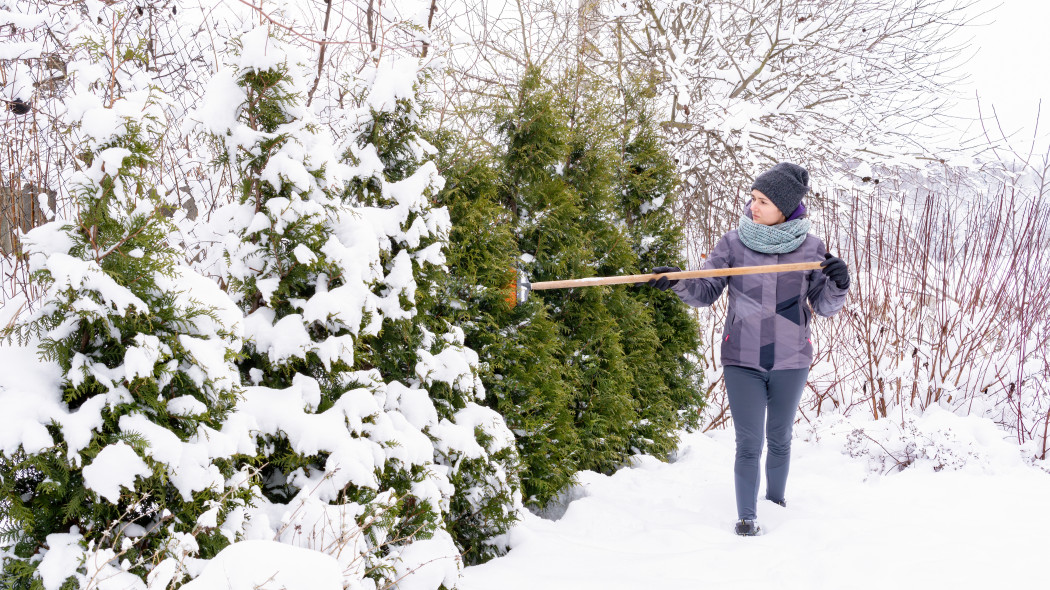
x: 521, y: 348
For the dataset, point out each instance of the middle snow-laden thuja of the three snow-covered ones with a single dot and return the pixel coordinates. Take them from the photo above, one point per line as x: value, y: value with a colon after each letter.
x: 348, y: 433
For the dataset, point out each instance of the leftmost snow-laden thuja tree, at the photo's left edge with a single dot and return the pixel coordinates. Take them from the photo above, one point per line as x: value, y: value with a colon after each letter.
x: 120, y: 472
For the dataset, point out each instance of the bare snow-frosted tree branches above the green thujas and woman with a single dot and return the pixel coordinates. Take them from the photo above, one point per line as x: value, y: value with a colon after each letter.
x: 827, y: 83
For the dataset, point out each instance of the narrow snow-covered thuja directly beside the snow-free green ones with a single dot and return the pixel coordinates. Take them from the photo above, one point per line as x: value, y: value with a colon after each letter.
x: 424, y: 347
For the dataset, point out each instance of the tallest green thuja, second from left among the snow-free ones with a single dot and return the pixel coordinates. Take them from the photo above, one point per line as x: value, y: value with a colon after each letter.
x: 559, y: 187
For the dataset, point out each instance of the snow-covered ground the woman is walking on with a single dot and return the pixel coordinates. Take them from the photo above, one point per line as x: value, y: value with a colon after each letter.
x: 668, y: 526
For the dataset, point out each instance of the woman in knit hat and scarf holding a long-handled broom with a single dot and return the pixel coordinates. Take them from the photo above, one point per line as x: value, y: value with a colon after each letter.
x: 766, y: 348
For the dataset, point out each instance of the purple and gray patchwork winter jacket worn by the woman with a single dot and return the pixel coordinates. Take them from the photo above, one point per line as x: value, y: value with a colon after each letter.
x: 768, y: 323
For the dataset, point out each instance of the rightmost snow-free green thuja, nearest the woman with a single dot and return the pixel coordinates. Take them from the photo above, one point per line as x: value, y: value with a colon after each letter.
x: 629, y: 181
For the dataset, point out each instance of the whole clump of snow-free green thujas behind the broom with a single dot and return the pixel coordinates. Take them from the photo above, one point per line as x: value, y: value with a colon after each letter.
x: 578, y: 186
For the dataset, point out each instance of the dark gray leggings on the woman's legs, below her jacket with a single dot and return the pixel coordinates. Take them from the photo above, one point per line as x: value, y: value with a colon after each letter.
x: 763, y: 402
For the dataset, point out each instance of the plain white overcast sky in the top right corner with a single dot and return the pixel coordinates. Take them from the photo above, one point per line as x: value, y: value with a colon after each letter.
x: 1012, y: 70
